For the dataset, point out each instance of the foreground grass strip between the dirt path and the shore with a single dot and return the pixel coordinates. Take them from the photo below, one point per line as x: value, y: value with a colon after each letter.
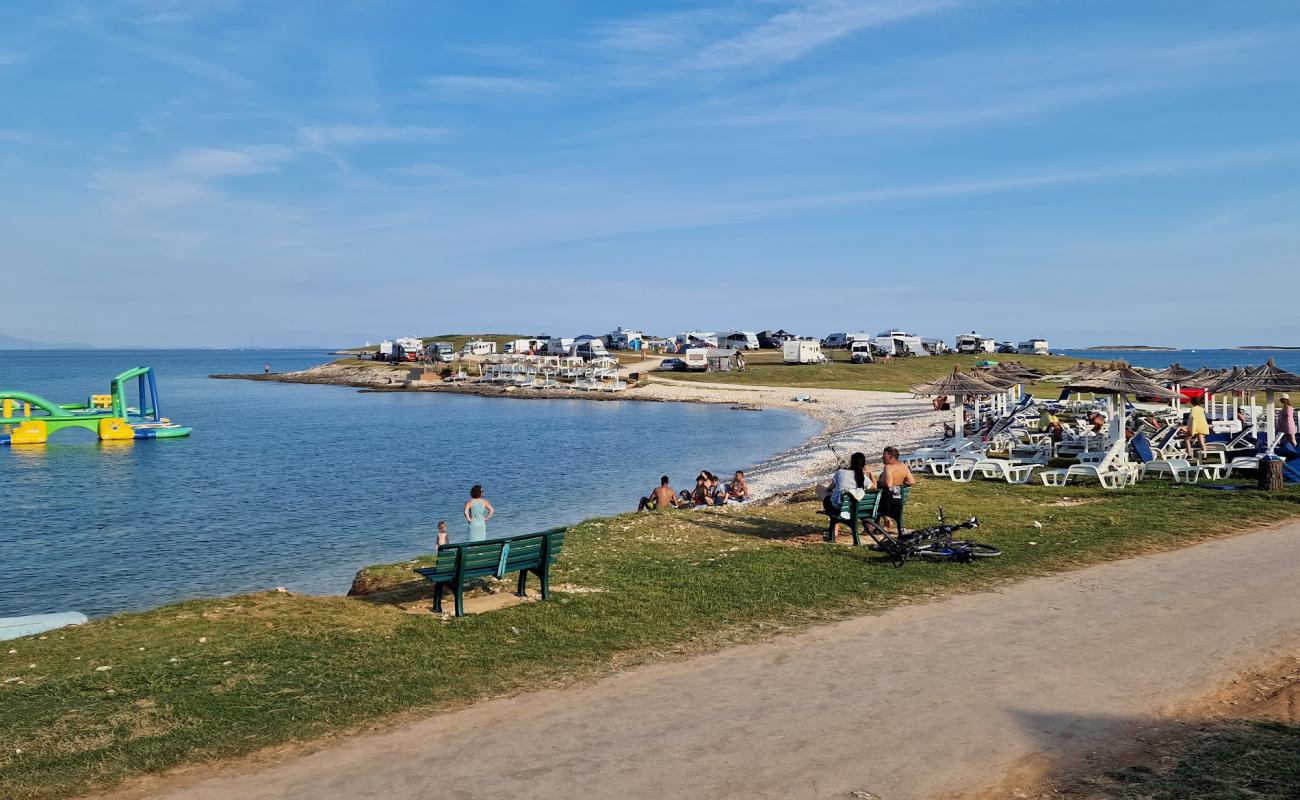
x: 206, y: 680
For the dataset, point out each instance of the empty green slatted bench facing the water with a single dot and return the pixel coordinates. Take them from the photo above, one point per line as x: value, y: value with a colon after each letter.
x: 466, y: 561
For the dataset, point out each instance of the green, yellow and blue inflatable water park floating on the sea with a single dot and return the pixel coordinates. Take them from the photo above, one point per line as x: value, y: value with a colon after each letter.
x: 28, y: 420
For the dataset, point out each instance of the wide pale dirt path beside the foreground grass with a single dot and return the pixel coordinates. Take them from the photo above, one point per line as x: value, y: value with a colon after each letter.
x: 915, y: 703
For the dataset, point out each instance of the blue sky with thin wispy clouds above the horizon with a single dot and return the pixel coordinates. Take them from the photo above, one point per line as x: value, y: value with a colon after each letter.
x: 284, y: 172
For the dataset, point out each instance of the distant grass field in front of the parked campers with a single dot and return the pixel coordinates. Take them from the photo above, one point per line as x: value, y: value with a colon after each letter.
x: 766, y: 369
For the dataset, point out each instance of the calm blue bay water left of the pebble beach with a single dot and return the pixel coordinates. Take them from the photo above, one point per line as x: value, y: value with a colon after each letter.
x: 300, y: 486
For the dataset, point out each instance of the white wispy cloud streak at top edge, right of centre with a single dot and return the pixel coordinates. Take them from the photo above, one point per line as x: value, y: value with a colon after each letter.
x: 794, y: 34
